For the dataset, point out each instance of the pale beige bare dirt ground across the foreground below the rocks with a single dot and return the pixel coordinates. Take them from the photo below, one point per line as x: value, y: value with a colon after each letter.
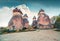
x: 41, y: 35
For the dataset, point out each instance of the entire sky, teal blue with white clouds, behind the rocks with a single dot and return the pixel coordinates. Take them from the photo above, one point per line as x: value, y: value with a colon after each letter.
x: 51, y: 7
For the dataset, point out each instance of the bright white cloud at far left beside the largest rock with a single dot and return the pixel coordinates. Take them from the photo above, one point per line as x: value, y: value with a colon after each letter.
x: 5, y: 15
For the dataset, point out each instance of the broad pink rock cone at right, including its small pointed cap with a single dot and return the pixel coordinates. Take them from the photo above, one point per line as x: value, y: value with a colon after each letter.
x: 43, y: 19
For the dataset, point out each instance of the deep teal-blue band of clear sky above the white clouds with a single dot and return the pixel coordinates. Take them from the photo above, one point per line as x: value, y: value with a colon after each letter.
x: 34, y: 5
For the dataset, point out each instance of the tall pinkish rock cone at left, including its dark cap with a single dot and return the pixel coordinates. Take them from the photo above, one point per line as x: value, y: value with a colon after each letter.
x: 16, y: 20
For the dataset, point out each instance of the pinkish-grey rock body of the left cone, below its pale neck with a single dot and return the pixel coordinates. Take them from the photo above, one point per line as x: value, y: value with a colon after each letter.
x: 16, y: 21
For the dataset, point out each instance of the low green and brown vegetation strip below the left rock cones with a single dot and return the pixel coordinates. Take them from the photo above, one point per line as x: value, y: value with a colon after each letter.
x: 4, y: 30
